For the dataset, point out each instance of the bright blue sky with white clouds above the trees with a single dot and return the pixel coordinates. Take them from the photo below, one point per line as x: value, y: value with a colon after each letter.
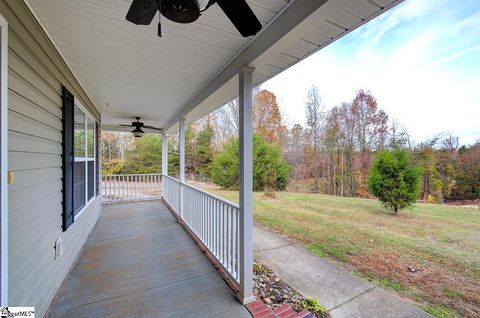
x: 421, y: 60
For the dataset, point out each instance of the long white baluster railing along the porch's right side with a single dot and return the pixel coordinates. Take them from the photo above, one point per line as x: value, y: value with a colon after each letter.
x: 215, y: 221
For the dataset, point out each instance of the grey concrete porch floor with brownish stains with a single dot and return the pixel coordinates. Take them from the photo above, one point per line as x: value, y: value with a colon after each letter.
x: 139, y: 262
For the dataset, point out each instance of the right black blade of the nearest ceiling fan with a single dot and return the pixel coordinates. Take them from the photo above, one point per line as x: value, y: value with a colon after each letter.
x: 241, y: 15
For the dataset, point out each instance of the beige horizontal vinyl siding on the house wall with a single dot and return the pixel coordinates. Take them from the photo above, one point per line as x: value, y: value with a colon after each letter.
x: 35, y: 157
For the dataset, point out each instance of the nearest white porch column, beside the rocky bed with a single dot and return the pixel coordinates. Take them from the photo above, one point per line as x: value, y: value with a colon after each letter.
x: 246, y: 187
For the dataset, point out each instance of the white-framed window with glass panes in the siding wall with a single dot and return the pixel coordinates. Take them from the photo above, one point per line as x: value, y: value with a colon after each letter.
x: 84, y: 167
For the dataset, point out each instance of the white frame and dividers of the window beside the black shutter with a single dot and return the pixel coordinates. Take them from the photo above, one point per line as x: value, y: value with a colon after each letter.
x: 87, y: 159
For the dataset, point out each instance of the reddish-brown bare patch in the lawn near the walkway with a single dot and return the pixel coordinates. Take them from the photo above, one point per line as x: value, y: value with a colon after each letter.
x: 436, y: 285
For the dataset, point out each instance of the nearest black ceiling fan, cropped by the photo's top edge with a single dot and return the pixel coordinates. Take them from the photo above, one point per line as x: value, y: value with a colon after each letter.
x: 239, y: 12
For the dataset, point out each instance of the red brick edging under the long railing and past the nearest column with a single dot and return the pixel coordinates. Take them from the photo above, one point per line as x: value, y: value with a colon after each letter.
x: 258, y: 309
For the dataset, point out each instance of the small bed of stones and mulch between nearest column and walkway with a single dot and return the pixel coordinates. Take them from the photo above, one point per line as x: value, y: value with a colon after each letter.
x: 275, y: 292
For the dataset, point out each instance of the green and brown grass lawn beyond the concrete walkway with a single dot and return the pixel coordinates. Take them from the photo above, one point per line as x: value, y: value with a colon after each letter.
x: 440, y: 244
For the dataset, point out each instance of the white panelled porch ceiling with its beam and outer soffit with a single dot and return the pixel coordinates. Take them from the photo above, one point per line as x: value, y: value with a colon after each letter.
x: 128, y: 71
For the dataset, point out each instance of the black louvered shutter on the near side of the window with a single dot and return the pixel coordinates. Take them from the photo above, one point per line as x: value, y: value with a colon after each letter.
x: 68, y: 157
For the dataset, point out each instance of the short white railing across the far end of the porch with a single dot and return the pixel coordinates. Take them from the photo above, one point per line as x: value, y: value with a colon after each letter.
x: 131, y: 187
